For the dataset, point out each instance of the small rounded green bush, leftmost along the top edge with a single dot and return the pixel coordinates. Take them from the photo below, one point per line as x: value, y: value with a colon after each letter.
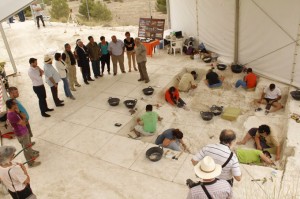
x: 60, y: 9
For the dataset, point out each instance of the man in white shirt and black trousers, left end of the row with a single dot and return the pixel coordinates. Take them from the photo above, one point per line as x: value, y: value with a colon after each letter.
x: 35, y: 73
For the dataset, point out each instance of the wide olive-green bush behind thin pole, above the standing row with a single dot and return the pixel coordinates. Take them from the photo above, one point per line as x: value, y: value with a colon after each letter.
x: 97, y: 10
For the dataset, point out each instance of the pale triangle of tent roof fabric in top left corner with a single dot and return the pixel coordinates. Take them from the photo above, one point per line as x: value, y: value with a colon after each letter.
x: 9, y: 7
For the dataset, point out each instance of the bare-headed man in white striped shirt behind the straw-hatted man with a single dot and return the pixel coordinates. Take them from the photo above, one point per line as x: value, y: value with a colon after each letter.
x: 222, y: 154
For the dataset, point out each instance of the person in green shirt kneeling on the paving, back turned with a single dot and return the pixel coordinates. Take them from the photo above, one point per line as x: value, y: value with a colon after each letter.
x: 146, y: 123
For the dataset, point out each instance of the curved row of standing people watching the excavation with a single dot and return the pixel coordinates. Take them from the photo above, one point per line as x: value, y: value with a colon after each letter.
x: 65, y: 64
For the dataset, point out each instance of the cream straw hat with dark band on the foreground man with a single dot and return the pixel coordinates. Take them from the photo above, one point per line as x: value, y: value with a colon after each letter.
x: 207, y: 168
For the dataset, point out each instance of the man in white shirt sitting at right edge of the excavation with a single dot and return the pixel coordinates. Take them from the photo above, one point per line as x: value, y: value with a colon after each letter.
x: 270, y: 96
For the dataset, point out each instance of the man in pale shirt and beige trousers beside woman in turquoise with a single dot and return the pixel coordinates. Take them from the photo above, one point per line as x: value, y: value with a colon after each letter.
x: 116, y: 50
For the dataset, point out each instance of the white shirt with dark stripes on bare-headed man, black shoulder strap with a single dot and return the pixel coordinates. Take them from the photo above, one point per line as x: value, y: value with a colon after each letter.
x: 220, y: 153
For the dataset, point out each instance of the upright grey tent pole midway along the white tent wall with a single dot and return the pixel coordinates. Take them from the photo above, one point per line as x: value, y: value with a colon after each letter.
x: 236, y: 36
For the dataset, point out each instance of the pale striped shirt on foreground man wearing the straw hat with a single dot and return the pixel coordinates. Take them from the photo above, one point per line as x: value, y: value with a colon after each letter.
x: 217, y: 190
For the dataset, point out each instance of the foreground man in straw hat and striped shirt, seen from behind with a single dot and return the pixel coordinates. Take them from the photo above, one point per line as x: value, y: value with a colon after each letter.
x: 209, y: 187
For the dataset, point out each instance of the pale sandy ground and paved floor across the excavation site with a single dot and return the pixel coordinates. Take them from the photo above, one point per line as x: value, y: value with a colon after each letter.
x: 85, y: 156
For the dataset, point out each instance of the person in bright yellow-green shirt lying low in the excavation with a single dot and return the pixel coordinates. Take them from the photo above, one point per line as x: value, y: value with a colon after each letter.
x: 253, y: 156
